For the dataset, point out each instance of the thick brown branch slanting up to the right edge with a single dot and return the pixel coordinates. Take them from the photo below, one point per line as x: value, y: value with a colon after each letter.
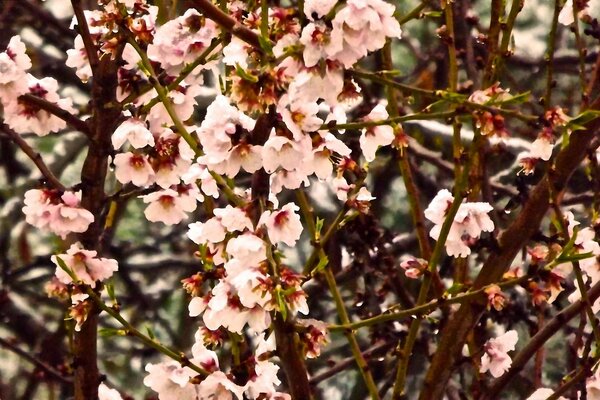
x: 510, y: 243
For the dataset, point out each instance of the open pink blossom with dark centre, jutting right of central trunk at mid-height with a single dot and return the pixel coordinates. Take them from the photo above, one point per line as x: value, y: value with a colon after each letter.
x: 283, y: 225
